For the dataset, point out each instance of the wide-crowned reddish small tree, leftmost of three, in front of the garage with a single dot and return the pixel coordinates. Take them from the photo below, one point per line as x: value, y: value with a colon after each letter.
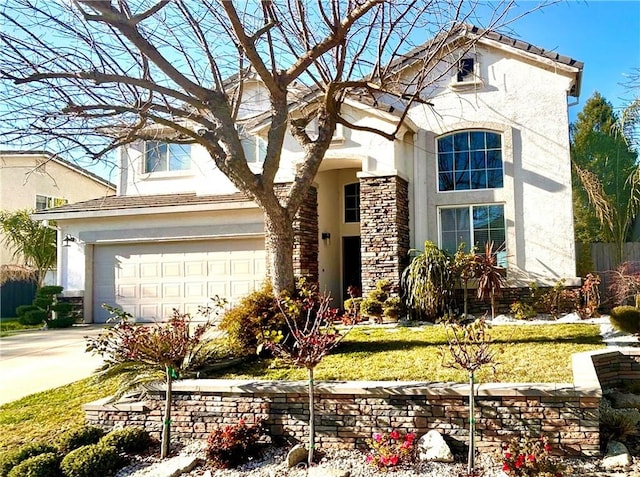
x: 151, y: 354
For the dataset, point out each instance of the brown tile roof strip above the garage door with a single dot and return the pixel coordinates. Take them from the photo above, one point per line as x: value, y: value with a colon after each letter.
x: 110, y: 203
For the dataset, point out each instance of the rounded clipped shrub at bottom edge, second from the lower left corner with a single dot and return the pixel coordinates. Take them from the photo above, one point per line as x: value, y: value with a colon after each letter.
x: 91, y: 461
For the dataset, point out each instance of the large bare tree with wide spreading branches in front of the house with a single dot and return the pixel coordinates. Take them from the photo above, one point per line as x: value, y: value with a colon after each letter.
x: 95, y: 75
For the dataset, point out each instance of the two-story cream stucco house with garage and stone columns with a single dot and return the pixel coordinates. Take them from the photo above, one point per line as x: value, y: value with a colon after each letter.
x: 488, y: 161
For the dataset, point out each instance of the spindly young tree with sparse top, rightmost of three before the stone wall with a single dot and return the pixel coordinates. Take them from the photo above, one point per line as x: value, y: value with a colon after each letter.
x: 469, y: 349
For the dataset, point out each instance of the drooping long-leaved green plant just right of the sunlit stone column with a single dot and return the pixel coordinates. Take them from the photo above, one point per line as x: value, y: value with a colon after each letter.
x: 427, y: 283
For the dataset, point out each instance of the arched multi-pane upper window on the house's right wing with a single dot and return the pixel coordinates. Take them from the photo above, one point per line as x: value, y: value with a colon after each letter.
x: 470, y: 160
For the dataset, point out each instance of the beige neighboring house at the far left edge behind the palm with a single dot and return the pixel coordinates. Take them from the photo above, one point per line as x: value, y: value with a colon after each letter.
x: 40, y: 180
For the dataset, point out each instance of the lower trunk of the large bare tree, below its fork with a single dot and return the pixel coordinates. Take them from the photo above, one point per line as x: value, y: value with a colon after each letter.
x: 279, y: 243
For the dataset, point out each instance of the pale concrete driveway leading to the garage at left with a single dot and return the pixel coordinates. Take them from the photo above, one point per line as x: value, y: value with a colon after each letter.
x: 35, y: 361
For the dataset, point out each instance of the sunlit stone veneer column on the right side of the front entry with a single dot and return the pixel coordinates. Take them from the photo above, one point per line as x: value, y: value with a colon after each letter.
x: 384, y: 229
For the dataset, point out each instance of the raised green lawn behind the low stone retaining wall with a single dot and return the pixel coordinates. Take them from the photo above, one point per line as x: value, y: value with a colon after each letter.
x: 536, y: 353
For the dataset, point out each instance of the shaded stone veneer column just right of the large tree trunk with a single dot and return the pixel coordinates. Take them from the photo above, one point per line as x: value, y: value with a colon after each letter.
x: 305, y: 240
